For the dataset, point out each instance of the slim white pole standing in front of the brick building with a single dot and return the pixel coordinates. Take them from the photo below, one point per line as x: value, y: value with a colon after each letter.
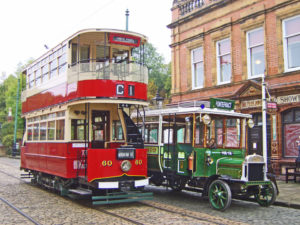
x: 264, y: 121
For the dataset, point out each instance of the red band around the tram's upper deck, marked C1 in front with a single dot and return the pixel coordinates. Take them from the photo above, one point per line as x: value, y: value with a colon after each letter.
x: 87, y: 88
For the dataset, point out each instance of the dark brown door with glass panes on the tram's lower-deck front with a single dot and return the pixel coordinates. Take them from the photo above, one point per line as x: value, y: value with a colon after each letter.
x: 100, y: 125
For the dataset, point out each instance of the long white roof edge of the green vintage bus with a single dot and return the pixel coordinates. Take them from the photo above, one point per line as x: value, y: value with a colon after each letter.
x: 192, y: 110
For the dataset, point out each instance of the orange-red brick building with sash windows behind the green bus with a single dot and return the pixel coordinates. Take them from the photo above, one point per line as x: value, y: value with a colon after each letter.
x: 223, y: 48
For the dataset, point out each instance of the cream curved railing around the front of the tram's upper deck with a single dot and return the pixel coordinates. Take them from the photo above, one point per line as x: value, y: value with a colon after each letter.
x: 93, y: 69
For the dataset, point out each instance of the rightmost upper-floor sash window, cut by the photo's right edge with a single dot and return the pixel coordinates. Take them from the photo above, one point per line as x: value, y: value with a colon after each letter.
x: 291, y: 43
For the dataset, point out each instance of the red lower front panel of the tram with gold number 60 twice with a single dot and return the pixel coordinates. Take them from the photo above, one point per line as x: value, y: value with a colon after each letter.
x: 99, y: 166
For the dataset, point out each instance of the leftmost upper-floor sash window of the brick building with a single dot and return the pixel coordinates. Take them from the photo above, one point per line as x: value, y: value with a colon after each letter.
x: 197, y: 68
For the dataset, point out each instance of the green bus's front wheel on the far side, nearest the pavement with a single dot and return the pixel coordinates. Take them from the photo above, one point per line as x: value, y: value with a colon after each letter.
x: 266, y: 195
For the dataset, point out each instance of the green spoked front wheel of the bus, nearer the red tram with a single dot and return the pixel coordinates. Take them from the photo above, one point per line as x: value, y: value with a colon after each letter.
x: 219, y: 195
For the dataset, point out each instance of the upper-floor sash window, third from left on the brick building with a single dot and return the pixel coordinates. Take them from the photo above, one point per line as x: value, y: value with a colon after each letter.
x: 255, y: 53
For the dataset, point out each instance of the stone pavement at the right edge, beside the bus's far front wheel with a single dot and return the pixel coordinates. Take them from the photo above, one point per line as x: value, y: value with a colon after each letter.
x: 289, y: 193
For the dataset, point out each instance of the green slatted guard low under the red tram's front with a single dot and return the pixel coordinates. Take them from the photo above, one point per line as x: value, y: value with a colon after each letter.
x: 121, y: 197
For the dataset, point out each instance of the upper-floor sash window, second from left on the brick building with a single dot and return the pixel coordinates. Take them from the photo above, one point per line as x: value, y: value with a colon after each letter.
x: 224, y: 61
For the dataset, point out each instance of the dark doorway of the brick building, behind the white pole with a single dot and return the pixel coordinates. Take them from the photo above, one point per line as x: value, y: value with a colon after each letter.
x: 255, y: 137
